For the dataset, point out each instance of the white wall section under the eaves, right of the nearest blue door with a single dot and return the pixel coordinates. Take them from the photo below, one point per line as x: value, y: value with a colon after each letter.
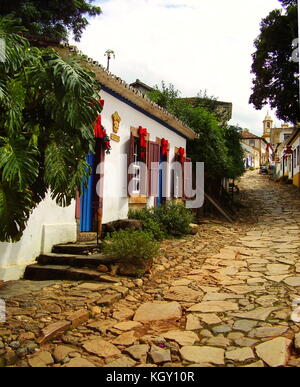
x: 115, y: 206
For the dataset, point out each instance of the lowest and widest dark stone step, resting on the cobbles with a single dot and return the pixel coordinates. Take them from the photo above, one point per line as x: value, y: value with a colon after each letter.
x: 37, y: 272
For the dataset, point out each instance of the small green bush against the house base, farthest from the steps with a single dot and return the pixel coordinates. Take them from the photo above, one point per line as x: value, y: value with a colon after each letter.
x: 173, y: 217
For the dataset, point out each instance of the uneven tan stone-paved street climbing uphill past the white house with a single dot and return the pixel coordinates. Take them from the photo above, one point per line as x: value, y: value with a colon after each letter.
x: 223, y: 297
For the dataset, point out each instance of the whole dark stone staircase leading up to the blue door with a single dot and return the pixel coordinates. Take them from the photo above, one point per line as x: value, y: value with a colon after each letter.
x: 73, y: 261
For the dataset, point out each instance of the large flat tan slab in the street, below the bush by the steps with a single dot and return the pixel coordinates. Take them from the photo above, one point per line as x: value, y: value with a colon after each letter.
x: 152, y: 311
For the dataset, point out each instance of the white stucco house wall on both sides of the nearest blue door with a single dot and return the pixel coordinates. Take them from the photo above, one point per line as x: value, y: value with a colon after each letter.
x: 50, y: 224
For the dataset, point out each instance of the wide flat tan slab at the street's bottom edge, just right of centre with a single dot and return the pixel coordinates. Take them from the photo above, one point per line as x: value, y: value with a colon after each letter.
x: 195, y: 354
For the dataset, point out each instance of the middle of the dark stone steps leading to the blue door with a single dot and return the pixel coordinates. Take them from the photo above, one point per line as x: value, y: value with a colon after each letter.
x: 76, y: 260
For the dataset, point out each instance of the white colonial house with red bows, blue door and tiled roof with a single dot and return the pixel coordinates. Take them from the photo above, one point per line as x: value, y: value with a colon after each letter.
x: 138, y: 130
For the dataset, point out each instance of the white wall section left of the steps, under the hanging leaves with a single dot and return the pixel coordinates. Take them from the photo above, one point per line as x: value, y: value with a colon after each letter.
x: 48, y: 225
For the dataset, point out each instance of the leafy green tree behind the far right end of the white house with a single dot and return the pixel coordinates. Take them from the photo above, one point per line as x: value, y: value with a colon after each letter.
x: 218, y: 145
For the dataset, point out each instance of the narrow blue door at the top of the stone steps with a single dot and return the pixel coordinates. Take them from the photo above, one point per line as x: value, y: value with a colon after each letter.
x: 86, y: 200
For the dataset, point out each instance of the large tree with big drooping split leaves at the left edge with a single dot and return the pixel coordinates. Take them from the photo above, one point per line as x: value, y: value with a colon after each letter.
x: 47, y: 109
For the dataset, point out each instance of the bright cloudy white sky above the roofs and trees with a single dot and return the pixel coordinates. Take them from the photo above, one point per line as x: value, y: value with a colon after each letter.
x: 194, y: 44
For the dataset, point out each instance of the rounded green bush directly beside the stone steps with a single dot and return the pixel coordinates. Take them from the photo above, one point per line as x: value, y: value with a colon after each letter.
x: 133, y: 247
